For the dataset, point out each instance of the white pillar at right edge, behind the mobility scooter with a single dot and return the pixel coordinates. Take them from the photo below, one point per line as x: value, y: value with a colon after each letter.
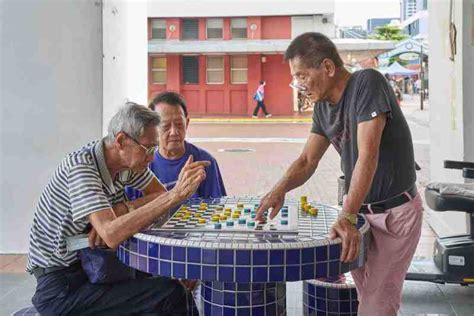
x: 451, y: 102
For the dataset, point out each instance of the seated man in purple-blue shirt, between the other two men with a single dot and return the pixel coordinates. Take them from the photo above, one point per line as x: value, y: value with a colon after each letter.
x: 174, y: 150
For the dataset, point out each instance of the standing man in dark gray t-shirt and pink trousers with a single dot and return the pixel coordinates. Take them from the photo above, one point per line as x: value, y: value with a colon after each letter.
x: 358, y: 114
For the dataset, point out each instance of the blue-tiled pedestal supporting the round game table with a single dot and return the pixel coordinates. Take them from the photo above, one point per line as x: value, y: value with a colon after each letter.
x: 244, y: 298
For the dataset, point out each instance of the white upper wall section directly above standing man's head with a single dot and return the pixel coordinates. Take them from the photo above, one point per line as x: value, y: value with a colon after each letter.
x: 313, y: 23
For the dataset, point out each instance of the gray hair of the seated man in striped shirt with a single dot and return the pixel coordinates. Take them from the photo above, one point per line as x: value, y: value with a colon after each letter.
x: 131, y: 119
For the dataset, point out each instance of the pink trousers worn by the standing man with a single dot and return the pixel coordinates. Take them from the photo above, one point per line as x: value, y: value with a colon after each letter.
x: 395, y: 236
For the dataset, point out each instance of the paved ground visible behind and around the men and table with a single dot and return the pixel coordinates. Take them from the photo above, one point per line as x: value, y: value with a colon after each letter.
x: 264, y: 166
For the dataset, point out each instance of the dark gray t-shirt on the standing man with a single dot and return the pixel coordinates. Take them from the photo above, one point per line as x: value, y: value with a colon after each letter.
x: 366, y: 96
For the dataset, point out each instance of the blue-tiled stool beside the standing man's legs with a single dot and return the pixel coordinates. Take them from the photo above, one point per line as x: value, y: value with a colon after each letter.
x: 330, y: 296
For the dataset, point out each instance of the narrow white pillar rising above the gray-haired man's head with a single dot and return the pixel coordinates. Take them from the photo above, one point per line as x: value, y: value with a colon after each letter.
x: 125, y: 47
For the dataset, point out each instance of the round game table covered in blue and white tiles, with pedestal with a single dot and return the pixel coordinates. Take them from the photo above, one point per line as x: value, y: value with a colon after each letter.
x: 244, y: 272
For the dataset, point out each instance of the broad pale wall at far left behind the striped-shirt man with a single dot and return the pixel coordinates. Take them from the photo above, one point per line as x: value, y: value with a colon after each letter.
x: 51, y: 100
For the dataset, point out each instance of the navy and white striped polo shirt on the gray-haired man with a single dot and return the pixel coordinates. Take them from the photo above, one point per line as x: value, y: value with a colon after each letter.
x: 80, y: 186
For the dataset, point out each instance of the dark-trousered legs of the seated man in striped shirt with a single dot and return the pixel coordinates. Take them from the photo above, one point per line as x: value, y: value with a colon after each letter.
x: 71, y: 293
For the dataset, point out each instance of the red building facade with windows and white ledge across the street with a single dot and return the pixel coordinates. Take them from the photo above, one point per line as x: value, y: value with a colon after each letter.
x: 217, y: 63
